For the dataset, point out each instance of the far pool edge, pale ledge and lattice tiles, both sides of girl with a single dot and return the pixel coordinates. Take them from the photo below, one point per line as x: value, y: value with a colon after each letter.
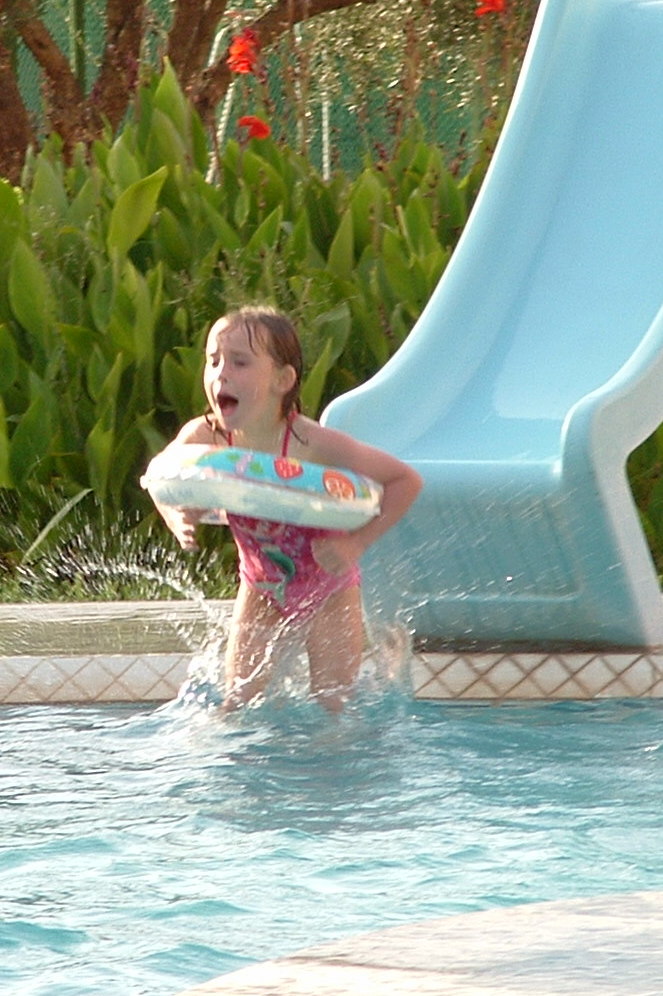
x: 87, y: 652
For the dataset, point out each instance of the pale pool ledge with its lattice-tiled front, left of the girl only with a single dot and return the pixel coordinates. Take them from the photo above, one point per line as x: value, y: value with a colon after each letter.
x: 103, y: 652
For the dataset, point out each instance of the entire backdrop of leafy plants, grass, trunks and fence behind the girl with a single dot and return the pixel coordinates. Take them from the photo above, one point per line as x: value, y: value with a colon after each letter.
x: 133, y: 212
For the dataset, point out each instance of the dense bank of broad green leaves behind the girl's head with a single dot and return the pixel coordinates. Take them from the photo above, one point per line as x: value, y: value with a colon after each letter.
x: 111, y: 271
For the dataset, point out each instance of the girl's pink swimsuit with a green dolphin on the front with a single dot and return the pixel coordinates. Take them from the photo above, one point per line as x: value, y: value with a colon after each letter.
x: 275, y: 558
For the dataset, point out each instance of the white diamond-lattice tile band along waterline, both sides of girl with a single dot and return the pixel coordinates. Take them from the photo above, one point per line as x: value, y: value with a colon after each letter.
x: 95, y: 678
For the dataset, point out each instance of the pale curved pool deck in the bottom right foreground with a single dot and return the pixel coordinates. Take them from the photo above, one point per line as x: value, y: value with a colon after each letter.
x: 612, y: 945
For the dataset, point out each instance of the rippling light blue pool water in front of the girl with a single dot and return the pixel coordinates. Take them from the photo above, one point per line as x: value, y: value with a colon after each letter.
x: 143, y: 850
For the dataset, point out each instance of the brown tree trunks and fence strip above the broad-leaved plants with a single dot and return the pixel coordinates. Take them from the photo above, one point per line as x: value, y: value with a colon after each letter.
x: 345, y: 78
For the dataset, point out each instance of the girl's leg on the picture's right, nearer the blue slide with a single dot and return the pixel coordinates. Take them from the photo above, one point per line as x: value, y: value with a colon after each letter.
x: 335, y: 642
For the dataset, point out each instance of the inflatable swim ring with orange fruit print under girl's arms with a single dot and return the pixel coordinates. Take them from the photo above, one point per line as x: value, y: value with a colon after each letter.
x: 261, y: 485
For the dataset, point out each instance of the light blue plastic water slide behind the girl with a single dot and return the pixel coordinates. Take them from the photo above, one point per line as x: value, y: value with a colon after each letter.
x: 537, y: 365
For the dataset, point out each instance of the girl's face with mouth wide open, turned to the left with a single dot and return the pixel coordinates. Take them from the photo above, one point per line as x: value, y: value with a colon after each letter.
x: 243, y: 385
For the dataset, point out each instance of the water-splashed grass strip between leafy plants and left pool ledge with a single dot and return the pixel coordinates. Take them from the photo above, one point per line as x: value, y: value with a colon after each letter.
x: 82, y: 556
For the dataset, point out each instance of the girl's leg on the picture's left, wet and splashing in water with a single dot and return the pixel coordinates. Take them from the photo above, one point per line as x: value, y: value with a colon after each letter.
x: 255, y: 629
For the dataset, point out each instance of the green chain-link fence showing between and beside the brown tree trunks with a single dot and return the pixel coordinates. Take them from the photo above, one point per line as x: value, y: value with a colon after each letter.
x: 341, y: 86
